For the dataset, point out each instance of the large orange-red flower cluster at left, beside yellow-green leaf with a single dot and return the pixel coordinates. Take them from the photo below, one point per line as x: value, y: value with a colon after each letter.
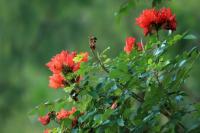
x: 62, y: 64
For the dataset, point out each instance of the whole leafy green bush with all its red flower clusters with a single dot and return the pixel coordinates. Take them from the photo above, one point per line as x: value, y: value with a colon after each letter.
x: 141, y: 90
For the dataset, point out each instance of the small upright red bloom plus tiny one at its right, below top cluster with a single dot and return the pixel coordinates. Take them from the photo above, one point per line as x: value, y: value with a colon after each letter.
x: 130, y: 43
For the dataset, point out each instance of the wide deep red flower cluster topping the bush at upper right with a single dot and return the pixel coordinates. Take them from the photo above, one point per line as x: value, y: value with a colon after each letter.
x: 151, y: 20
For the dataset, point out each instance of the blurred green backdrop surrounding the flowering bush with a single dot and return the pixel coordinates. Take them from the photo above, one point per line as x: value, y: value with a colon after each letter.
x: 32, y: 31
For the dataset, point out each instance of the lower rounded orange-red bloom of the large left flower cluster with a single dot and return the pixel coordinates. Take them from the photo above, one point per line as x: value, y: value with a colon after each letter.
x: 56, y: 81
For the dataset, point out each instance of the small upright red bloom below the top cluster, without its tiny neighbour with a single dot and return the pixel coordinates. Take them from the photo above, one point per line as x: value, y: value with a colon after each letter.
x: 130, y: 41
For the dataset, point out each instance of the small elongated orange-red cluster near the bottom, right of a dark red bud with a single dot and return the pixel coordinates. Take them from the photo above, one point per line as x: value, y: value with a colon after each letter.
x: 63, y: 114
